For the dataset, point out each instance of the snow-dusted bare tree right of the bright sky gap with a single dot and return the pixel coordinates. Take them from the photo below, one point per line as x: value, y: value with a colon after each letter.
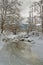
x: 37, y: 7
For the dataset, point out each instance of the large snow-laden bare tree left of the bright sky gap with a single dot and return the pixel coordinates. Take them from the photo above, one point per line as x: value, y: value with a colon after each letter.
x: 9, y: 9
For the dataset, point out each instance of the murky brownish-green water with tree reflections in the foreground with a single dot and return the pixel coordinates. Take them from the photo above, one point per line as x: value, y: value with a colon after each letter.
x: 20, y: 54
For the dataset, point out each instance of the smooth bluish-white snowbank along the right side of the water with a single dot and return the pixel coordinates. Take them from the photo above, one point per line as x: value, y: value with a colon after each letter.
x: 38, y: 46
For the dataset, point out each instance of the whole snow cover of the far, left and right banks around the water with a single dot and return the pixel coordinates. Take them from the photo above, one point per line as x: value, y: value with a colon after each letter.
x: 36, y: 41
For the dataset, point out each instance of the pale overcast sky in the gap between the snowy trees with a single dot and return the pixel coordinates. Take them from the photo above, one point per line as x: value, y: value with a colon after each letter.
x: 25, y: 7
